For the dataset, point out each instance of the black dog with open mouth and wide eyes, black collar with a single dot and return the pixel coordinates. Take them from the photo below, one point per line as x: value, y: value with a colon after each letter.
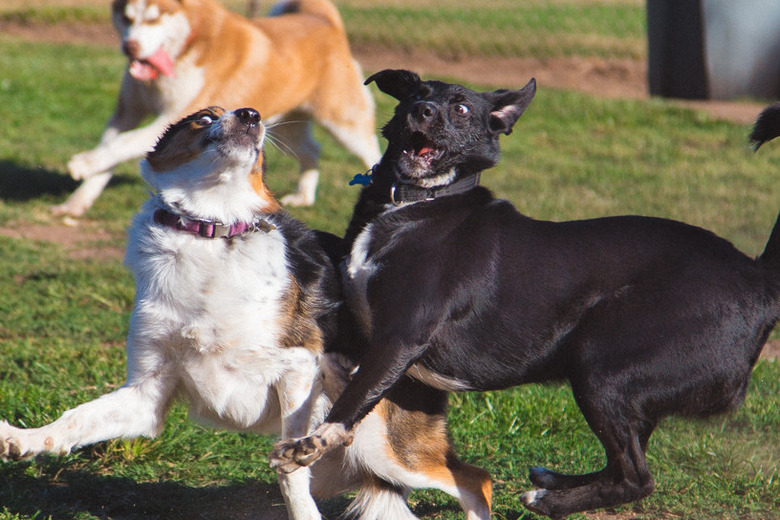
x: 645, y: 317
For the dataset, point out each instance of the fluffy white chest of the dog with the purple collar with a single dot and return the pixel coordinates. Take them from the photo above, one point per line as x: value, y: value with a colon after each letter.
x: 209, y: 312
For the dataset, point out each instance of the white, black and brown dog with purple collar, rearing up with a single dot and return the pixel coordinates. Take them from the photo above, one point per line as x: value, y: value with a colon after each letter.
x: 236, y: 303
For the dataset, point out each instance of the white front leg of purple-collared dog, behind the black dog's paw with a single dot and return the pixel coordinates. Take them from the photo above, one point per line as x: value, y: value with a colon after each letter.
x: 300, y: 396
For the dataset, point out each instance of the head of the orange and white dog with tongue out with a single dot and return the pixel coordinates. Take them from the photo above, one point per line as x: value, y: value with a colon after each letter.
x: 153, y: 33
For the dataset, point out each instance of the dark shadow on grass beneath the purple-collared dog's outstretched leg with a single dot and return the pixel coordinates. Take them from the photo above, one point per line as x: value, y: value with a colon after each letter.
x: 72, y: 494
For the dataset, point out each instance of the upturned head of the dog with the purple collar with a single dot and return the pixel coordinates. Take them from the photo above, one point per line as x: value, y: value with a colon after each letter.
x: 210, y: 165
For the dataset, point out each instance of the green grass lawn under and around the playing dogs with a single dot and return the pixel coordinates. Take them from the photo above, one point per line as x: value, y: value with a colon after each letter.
x: 64, y: 315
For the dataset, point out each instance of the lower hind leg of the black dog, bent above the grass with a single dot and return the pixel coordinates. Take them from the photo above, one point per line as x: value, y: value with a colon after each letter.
x: 624, y: 479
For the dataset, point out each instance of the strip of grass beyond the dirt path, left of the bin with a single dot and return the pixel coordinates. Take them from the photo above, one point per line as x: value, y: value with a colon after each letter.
x: 539, y: 31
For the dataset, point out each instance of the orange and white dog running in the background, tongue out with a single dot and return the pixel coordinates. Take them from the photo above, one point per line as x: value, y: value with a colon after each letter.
x: 186, y: 54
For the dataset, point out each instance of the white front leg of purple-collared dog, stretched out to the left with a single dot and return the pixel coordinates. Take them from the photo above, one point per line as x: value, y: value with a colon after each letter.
x: 130, y: 411
